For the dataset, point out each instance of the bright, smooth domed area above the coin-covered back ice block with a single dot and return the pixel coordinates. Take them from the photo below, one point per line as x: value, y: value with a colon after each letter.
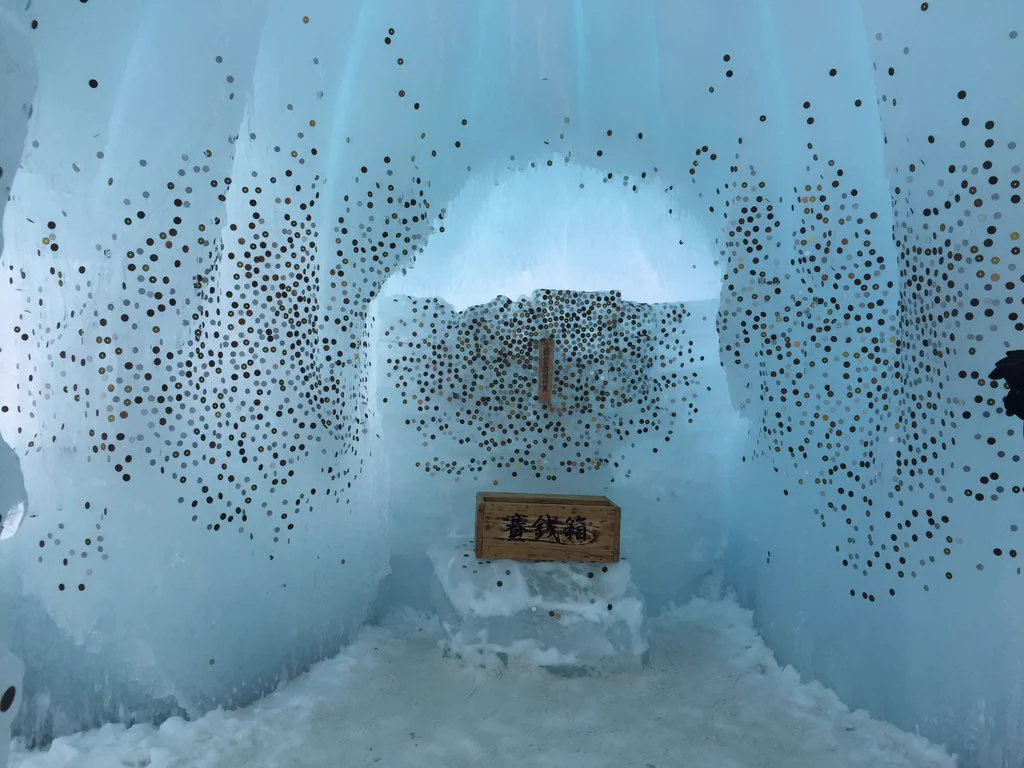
x: 562, y: 227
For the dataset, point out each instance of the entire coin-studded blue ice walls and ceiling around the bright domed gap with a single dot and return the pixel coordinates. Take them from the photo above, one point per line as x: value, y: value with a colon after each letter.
x: 225, y: 438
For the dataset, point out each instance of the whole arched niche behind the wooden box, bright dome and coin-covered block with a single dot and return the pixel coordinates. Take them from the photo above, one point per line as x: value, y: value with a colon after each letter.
x: 626, y: 281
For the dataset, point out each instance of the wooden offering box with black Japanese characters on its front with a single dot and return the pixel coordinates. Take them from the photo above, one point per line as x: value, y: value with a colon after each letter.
x: 541, y: 527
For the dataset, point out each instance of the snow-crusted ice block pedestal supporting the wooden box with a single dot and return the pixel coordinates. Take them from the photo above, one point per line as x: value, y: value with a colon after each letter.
x: 568, y: 618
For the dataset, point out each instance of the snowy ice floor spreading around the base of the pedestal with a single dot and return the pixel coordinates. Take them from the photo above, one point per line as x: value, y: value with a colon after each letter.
x: 713, y: 696
